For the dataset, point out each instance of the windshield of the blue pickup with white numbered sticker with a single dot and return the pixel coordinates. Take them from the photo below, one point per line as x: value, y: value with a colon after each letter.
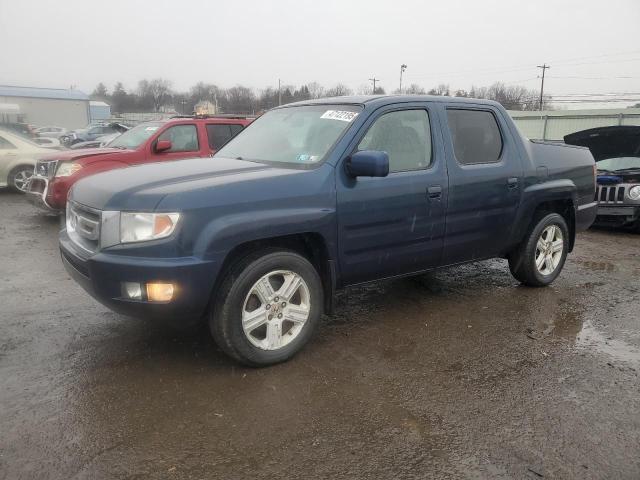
x: 296, y: 135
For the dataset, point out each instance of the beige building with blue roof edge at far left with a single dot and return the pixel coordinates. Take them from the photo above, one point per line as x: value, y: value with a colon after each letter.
x: 47, y: 106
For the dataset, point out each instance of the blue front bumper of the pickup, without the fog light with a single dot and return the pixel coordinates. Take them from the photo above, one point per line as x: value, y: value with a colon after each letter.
x: 102, y: 274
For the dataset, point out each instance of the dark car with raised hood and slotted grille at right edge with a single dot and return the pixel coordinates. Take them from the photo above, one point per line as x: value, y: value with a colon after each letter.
x: 617, y: 153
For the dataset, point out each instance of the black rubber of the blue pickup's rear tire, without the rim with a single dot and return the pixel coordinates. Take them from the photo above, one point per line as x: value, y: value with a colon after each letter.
x: 522, y: 261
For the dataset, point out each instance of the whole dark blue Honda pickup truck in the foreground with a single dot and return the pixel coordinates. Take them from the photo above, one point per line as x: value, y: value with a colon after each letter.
x: 316, y: 196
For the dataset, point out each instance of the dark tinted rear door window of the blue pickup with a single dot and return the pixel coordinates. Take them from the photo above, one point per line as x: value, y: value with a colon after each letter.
x: 475, y: 135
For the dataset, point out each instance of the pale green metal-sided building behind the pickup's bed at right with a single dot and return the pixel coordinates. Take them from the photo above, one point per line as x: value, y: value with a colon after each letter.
x: 555, y: 124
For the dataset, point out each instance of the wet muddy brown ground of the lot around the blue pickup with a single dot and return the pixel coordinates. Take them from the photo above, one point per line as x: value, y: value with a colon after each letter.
x: 457, y: 374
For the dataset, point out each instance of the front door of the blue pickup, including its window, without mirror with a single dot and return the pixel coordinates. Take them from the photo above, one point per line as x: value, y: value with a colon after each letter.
x: 394, y: 225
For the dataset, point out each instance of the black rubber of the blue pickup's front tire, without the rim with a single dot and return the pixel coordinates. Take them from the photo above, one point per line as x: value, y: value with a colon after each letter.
x: 225, y: 320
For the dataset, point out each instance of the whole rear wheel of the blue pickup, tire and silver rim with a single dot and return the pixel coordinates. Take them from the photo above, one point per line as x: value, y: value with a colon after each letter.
x: 541, y: 255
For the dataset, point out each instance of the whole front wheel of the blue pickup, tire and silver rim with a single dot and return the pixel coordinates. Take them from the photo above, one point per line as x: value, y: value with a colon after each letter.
x: 268, y: 307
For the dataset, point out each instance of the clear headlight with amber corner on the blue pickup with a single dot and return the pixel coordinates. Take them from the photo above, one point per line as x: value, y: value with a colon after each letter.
x: 142, y: 227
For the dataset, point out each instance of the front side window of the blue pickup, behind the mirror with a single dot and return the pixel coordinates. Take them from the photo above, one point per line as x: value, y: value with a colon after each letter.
x: 405, y: 136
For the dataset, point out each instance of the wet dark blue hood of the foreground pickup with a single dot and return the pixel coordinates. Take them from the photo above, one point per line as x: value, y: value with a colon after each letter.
x: 143, y: 187
